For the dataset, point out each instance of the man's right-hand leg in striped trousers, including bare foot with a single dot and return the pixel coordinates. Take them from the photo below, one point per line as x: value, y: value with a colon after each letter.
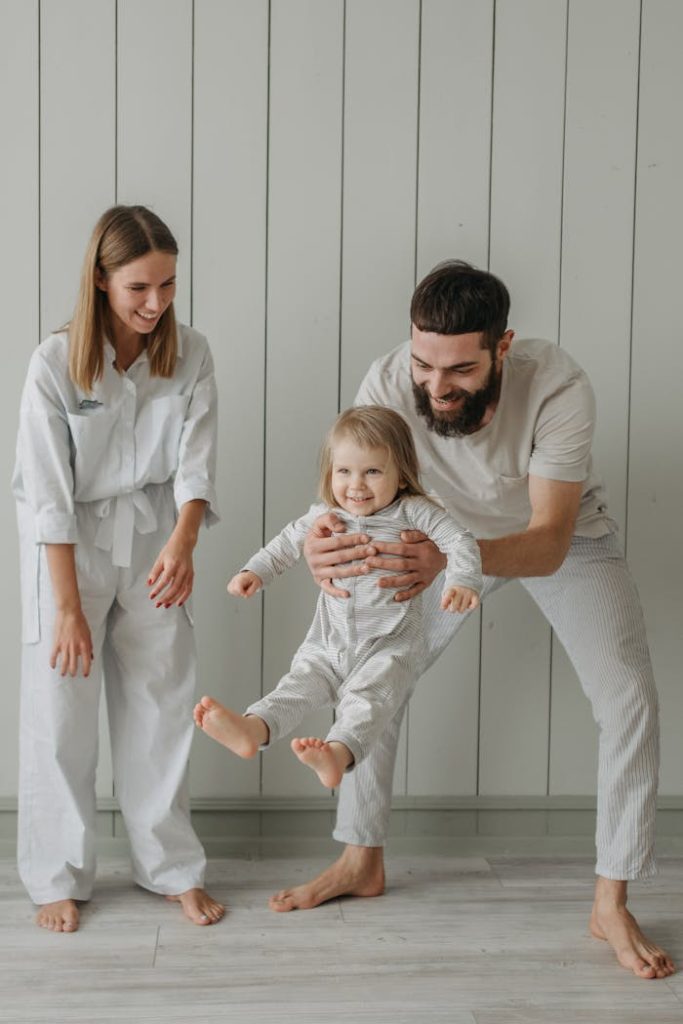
x: 593, y: 606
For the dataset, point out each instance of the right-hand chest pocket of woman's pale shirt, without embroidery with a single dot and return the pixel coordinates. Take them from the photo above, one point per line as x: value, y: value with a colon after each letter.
x: 158, y: 438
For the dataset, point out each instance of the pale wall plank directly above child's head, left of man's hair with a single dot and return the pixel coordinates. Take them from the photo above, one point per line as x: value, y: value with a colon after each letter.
x: 380, y: 192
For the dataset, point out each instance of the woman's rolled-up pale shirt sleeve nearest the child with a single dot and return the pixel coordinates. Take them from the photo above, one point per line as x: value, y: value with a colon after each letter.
x: 196, y: 476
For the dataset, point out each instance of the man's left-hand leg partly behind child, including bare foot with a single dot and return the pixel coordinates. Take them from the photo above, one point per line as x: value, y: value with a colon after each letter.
x: 365, y: 796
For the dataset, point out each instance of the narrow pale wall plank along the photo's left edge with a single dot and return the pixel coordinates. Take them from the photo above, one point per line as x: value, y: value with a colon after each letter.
x: 19, y: 289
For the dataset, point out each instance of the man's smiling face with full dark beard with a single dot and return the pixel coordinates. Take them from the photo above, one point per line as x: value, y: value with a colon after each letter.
x: 456, y: 382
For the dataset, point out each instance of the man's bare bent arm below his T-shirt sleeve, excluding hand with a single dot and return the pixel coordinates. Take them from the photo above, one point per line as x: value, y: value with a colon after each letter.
x: 539, y: 550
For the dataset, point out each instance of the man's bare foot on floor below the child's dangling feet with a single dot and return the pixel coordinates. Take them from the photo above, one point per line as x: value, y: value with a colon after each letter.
x: 360, y: 872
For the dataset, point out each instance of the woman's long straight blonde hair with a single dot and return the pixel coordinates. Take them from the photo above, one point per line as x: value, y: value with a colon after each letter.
x: 122, y: 235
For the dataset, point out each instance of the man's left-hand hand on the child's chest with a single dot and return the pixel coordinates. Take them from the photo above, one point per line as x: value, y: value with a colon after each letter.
x: 329, y: 550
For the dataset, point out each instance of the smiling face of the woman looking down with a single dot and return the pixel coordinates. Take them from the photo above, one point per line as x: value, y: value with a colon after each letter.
x: 141, y: 292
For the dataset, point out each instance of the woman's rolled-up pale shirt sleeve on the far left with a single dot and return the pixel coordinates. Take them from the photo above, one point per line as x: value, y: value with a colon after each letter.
x: 45, y: 479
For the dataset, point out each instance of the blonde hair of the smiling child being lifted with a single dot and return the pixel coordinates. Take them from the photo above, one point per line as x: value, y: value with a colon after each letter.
x: 373, y: 426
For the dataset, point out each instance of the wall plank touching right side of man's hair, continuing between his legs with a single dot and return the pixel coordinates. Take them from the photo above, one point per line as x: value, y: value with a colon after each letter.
x: 527, y: 183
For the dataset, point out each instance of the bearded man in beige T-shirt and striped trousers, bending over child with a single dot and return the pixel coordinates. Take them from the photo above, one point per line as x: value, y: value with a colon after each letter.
x: 504, y: 436
